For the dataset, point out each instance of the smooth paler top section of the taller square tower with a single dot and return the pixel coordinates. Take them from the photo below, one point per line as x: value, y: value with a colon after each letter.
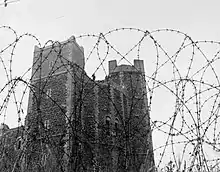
x: 53, y: 59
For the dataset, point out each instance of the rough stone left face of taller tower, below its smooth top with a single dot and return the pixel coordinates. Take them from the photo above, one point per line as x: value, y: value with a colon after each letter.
x: 46, y: 124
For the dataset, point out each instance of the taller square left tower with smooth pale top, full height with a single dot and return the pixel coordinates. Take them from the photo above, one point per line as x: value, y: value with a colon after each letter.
x: 50, y: 104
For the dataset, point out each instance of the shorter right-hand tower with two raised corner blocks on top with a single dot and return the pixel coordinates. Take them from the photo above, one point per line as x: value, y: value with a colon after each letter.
x: 135, y: 113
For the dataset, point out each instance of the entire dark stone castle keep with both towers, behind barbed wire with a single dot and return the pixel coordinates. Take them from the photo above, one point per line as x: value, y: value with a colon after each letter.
x: 75, y: 123
